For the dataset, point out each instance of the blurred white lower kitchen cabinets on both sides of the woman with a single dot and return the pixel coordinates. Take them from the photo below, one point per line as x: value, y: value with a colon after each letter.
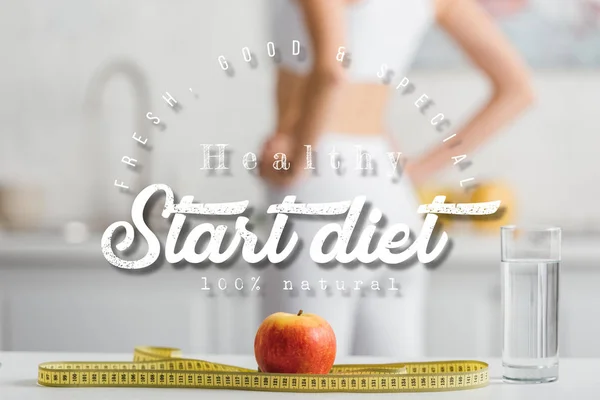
x: 96, y: 308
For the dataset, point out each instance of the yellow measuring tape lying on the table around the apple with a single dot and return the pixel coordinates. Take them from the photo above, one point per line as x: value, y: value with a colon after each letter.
x: 165, y: 368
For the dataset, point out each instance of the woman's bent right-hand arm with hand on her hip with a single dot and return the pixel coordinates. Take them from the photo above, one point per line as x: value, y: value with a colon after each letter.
x: 479, y: 37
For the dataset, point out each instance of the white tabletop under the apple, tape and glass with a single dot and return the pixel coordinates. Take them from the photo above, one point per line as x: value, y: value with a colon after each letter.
x: 578, y: 380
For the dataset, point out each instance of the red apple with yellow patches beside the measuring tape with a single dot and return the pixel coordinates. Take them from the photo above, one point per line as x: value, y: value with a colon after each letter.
x: 295, y: 344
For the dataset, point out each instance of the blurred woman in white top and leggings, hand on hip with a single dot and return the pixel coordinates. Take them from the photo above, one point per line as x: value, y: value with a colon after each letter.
x: 332, y: 108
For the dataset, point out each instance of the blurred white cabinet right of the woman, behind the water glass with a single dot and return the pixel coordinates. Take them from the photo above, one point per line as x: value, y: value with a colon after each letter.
x: 465, y: 314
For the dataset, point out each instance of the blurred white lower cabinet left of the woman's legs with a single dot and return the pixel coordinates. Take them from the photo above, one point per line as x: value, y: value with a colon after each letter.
x: 98, y: 309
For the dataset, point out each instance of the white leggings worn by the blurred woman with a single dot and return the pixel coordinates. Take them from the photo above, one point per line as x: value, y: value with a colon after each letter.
x: 366, y: 321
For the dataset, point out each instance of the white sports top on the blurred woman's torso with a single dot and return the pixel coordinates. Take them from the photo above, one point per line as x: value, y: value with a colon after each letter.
x: 377, y: 32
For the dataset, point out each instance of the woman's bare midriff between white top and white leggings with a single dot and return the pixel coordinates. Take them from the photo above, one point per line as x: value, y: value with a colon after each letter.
x: 360, y: 108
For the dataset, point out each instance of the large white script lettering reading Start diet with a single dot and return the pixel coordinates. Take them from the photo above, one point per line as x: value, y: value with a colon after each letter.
x: 395, y: 236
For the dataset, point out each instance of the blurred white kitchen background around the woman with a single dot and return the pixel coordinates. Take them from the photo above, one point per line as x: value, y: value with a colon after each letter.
x: 78, y: 78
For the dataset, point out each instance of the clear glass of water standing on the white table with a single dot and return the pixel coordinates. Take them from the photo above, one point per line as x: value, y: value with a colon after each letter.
x: 530, y: 283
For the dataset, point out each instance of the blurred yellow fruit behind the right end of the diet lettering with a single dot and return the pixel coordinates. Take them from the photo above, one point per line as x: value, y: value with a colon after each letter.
x: 493, y: 191
